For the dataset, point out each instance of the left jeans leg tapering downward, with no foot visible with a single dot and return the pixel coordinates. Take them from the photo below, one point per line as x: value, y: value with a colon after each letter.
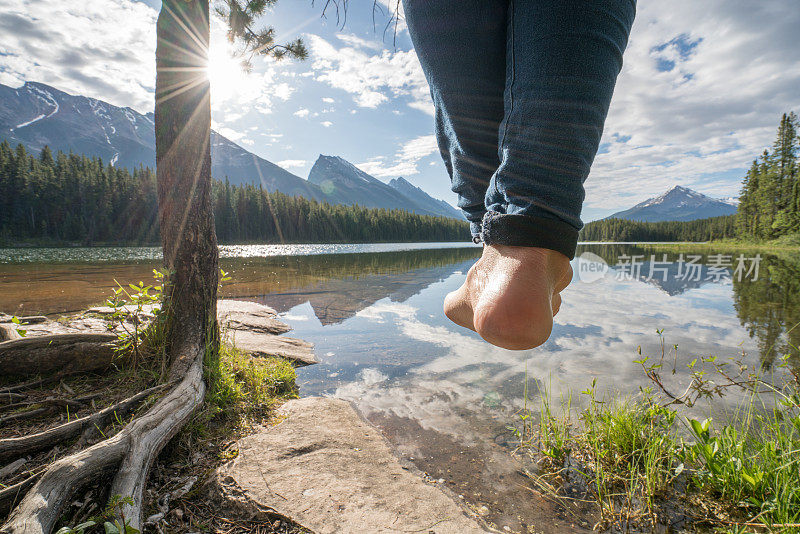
x: 461, y: 45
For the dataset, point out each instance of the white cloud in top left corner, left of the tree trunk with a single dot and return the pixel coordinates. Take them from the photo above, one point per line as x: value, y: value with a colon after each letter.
x: 82, y: 48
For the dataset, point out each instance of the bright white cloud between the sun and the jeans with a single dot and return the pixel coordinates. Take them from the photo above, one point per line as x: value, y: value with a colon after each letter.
x: 372, y: 78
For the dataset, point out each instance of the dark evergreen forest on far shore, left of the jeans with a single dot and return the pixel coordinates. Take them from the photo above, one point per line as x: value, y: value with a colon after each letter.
x: 69, y: 198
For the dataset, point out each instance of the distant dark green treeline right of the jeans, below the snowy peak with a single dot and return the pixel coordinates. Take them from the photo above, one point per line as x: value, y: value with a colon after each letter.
x: 624, y: 230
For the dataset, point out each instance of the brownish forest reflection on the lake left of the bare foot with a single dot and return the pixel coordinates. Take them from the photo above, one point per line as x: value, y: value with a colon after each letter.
x: 338, y: 285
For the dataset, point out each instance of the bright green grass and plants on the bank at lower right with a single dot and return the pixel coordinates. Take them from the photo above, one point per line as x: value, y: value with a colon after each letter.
x: 646, y: 460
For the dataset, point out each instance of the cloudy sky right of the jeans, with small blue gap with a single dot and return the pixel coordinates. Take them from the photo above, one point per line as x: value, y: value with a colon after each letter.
x: 734, y: 72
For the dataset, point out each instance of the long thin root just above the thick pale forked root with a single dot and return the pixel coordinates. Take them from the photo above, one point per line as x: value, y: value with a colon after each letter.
x: 12, y: 448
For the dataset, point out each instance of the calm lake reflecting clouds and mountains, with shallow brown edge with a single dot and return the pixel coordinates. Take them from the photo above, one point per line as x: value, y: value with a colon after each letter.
x: 440, y: 394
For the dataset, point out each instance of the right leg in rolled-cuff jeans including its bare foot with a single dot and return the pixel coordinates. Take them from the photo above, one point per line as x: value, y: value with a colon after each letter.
x: 563, y: 60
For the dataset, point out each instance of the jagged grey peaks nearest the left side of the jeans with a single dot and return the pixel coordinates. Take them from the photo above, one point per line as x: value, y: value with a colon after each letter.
x: 346, y: 183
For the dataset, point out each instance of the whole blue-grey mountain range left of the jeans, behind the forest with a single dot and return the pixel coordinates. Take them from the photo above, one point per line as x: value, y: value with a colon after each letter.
x: 38, y: 115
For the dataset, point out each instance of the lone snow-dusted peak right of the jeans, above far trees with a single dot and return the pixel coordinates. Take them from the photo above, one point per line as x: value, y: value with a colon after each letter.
x: 677, y: 204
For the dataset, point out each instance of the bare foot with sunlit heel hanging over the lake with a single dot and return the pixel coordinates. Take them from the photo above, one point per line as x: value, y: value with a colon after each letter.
x: 511, y: 295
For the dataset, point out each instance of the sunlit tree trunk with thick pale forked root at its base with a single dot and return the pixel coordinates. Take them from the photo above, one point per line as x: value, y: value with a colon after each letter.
x: 183, y: 165
